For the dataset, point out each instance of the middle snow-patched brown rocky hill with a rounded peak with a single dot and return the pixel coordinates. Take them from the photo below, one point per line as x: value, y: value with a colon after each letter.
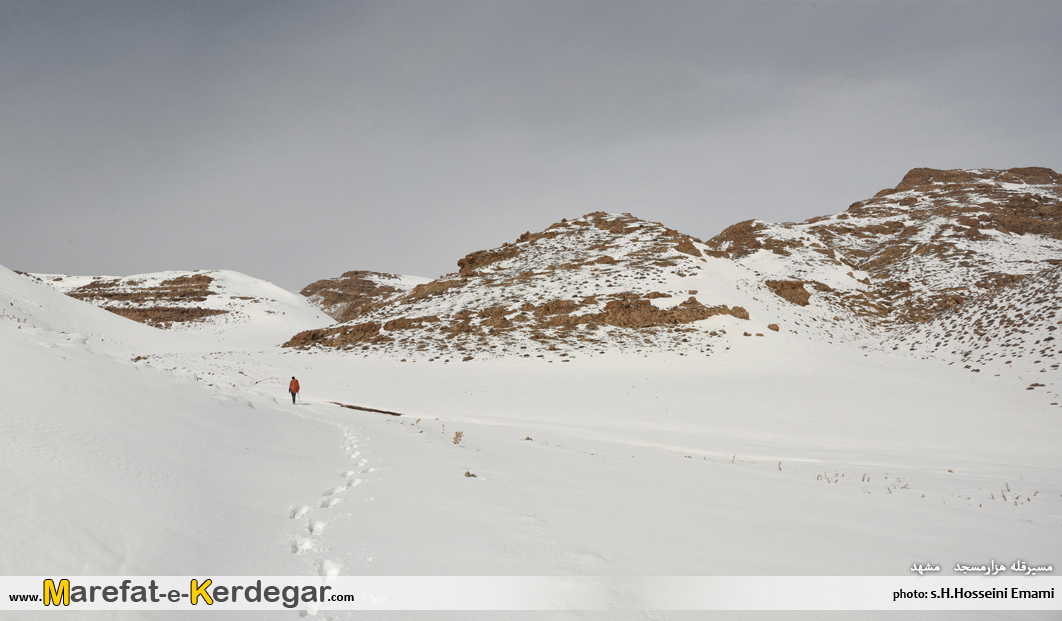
x: 586, y: 287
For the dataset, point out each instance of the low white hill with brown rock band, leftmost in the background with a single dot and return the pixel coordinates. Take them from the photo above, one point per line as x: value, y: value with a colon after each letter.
x: 232, y: 307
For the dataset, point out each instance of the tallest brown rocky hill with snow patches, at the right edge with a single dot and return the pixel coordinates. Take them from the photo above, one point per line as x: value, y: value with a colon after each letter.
x: 938, y: 239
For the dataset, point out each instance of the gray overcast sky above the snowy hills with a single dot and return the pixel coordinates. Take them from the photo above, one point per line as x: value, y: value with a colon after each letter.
x: 297, y: 141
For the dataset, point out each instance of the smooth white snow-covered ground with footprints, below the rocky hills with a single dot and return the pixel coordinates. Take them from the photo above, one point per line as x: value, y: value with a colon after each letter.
x: 774, y: 457
